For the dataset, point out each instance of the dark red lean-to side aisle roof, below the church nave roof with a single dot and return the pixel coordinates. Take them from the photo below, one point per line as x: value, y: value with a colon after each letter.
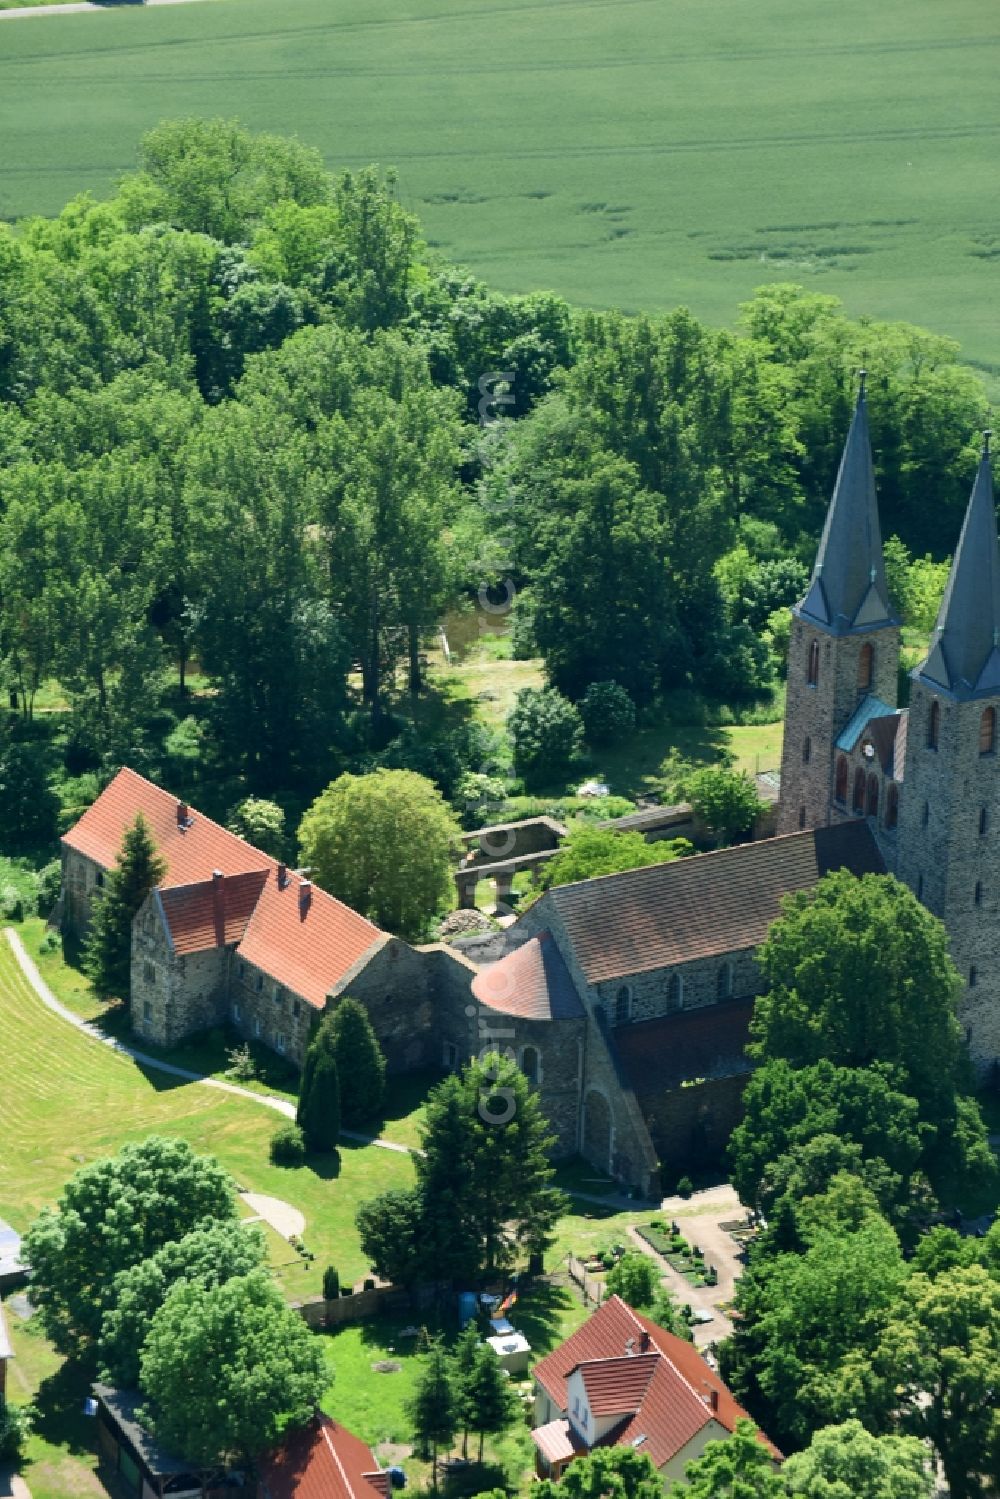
x: 707, y: 1043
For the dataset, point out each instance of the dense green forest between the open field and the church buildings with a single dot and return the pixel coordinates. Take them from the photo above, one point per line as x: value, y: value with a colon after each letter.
x: 257, y: 438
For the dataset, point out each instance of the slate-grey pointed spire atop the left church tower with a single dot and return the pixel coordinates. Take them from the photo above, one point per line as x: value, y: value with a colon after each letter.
x: 849, y: 581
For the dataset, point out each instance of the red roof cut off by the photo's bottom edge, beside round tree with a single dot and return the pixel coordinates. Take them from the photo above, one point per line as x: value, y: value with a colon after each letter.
x: 323, y: 1461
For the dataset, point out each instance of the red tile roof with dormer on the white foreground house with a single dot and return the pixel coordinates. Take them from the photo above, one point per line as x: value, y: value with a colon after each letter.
x: 665, y: 1390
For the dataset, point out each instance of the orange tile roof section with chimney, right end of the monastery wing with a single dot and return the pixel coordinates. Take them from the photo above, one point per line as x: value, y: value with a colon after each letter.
x: 307, y: 939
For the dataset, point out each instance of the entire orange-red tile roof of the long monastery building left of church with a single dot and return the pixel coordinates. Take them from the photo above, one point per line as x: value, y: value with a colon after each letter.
x: 307, y: 945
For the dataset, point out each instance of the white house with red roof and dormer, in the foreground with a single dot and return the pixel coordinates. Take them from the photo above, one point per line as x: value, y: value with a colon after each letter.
x: 623, y: 1381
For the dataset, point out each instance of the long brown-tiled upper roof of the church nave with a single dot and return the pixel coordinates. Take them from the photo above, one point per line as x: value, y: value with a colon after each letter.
x: 704, y: 906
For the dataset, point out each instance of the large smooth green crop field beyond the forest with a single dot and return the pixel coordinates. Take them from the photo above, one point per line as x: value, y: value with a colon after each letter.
x: 623, y: 152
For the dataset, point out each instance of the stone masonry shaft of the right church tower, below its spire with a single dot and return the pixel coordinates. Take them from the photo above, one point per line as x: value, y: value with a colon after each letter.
x: 947, y: 858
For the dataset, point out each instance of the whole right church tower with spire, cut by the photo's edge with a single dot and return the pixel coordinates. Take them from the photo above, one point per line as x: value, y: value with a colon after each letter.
x: 950, y: 815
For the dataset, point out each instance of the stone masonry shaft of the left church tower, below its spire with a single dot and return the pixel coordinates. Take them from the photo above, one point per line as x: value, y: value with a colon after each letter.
x: 821, y: 713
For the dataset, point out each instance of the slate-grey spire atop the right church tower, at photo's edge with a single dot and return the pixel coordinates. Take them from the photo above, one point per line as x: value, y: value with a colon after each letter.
x: 965, y: 656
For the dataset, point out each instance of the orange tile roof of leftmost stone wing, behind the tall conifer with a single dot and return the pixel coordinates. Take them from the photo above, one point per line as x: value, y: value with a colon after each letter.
x: 191, y: 852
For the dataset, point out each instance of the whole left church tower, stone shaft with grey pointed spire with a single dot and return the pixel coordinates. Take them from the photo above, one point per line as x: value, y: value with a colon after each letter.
x: 845, y: 639
